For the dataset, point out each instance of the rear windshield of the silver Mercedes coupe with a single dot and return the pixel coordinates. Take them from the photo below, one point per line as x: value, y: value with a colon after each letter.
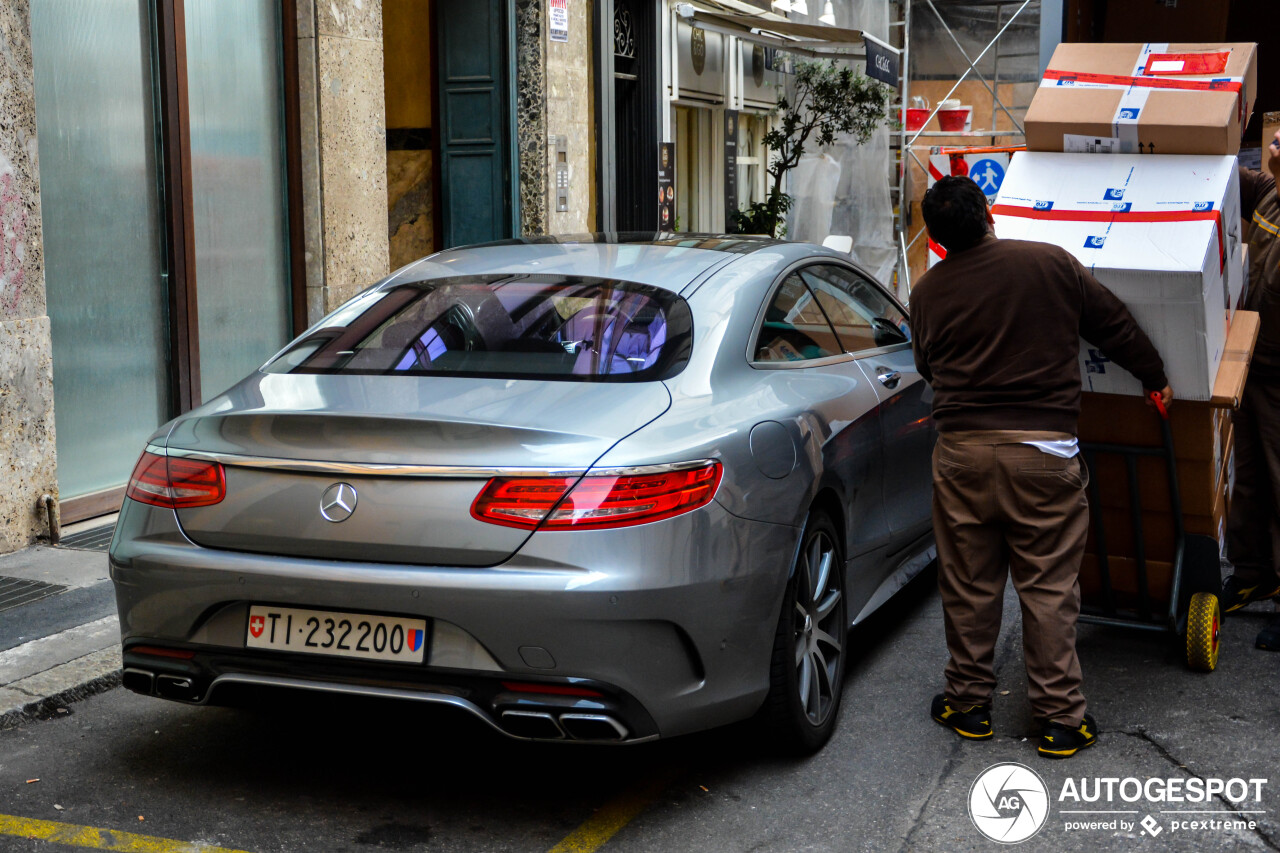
x: 546, y: 327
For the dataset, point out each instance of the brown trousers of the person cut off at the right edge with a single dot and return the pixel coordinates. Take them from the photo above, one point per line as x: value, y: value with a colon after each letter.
x: 1254, y: 527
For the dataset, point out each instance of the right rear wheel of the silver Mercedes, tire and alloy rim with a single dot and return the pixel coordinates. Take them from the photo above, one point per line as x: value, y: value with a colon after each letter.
x: 807, y: 672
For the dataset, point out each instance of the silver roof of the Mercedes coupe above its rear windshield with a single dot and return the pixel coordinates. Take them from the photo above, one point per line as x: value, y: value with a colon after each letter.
x: 665, y: 261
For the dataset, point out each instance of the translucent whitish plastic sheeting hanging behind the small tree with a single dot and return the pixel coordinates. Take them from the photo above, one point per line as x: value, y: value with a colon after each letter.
x: 858, y: 203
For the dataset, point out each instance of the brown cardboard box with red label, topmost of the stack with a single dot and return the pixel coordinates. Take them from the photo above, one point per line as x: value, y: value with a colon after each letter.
x: 1144, y: 99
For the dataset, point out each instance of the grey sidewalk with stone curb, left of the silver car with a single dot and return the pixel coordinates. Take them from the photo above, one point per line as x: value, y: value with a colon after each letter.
x: 63, y: 642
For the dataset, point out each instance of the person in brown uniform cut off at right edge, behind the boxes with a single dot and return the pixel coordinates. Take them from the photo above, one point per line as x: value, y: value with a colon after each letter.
x: 1254, y: 527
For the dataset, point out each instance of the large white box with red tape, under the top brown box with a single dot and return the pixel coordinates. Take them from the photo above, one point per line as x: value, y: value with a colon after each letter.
x: 1163, y: 234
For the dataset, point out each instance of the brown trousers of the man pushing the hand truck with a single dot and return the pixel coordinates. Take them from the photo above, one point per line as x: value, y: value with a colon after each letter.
x: 1004, y: 508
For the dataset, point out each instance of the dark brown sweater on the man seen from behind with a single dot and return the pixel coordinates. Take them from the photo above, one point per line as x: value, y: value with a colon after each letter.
x: 998, y: 332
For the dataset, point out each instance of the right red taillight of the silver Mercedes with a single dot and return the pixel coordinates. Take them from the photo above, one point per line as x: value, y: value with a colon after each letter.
x: 596, y: 501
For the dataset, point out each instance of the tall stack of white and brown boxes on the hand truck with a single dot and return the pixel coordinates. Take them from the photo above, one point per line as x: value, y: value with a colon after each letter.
x: 1131, y: 167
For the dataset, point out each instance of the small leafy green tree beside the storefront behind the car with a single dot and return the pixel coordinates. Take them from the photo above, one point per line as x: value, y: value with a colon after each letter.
x: 829, y: 101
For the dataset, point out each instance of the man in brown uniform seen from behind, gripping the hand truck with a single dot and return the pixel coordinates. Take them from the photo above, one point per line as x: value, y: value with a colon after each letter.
x: 998, y: 329
